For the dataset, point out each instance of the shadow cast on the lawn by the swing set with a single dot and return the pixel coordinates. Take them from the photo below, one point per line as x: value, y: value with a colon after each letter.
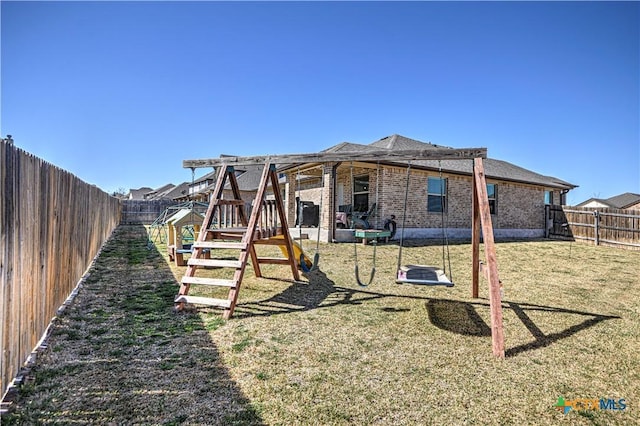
x: 451, y: 315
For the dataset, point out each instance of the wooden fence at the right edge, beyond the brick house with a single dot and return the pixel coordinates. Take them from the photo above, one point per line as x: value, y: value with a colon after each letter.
x: 602, y: 226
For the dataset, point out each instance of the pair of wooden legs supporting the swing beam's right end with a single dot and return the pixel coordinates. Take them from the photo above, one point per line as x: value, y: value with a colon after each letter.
x: 482, y: 217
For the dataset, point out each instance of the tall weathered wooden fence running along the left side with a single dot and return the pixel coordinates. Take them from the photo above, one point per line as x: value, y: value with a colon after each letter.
x: 52, y: 225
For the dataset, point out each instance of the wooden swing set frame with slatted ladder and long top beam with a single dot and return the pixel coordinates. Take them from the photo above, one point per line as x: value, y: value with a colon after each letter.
x: 226, y: 226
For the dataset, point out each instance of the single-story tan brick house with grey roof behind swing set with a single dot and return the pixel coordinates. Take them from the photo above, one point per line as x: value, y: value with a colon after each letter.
x: 438, y: 191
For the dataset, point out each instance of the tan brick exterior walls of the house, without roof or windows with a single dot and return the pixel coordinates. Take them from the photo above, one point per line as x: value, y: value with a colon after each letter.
x: 519, y: 209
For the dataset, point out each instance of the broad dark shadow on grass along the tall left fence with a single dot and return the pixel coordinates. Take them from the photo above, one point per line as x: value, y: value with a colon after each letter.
x: 120, y: 355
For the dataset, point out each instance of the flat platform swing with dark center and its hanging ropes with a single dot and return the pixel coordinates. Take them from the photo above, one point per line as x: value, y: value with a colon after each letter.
x: 423, y: 274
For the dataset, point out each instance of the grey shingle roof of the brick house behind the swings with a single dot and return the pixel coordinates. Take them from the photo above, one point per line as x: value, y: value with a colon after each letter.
x: 496, y: 169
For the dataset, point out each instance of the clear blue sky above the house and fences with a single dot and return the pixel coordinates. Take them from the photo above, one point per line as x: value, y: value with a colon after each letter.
x: 119, y: 93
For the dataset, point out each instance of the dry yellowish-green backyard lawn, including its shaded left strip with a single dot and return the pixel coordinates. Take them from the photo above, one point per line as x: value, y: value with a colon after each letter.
x: 326, y: 351
